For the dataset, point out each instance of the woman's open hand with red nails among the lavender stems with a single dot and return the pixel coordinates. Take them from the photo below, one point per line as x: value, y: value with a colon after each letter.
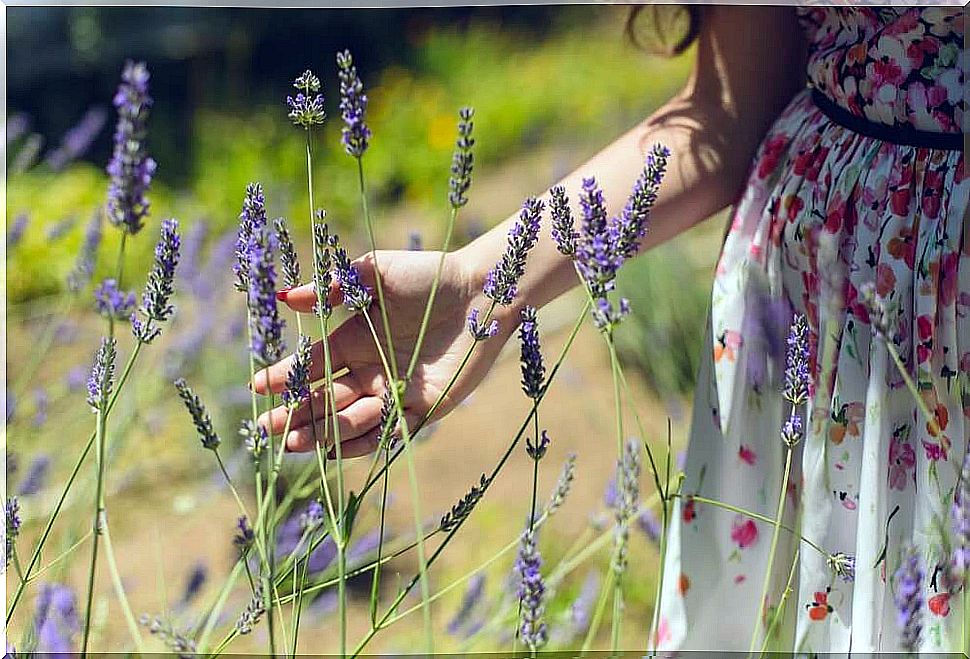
x: 407, y: 277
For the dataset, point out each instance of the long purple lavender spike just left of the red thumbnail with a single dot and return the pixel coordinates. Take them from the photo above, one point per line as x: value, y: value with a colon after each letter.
x: 265, y: 324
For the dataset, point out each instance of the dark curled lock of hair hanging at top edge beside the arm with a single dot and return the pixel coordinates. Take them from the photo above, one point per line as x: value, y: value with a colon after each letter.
x: 663, y: 29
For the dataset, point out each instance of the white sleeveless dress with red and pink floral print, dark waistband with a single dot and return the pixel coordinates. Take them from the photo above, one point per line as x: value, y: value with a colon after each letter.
x: 861, y: 181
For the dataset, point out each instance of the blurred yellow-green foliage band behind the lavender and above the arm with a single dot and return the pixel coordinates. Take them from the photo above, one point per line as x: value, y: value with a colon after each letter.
x: 581, y: 85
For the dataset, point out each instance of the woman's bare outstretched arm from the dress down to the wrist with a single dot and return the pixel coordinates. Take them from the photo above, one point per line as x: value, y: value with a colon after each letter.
x: 750, y: 62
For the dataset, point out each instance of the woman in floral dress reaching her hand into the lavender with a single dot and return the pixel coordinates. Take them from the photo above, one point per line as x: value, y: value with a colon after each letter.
x: 858, y: 179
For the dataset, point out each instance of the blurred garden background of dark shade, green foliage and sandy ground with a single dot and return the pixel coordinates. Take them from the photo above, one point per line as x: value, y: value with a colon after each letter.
x: 550, y: 86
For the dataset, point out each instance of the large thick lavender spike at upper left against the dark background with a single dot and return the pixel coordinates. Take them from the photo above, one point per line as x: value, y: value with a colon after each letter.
x: 130, y: 168
